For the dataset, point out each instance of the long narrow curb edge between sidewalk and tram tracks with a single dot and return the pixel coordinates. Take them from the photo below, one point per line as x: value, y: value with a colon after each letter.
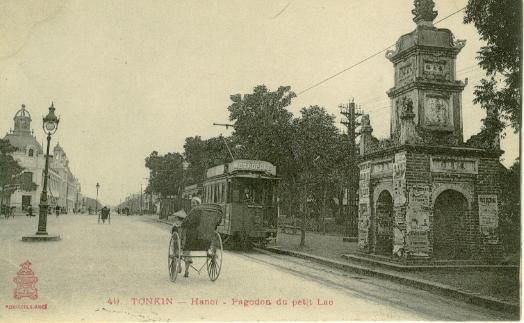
x: 468, y: 297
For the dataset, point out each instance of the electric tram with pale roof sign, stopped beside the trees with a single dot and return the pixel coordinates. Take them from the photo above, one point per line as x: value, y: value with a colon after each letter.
x: 247, y: 192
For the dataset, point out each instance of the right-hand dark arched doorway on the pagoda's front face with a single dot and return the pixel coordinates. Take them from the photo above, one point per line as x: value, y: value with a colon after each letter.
x: 450, y: 221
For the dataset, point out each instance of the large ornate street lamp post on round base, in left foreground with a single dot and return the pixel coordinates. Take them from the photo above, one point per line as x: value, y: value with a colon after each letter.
x: 50, y: 125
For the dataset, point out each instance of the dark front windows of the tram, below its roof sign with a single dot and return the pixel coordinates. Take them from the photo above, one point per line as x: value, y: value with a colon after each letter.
x: 252, y: 191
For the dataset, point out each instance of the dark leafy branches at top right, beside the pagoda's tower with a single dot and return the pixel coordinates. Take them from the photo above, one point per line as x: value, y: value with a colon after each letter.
x: 499, y: 23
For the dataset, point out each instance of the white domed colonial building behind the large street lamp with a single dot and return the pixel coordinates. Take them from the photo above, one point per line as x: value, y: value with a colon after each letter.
x: 63, y: 188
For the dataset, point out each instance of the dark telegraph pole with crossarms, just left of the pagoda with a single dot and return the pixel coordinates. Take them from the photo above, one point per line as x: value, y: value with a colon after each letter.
x: 352, y: 114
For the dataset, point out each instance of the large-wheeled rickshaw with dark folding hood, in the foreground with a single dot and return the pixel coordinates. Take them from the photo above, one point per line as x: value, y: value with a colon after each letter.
x: 196, y: 237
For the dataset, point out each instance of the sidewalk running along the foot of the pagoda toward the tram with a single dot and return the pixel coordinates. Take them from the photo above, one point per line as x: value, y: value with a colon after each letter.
x: 491, y: 287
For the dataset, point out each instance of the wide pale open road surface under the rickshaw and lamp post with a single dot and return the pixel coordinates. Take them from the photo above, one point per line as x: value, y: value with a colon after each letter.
x: 127, y: 261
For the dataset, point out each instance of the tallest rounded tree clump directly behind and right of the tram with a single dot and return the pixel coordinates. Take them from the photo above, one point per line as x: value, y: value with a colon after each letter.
x: 307, y: 150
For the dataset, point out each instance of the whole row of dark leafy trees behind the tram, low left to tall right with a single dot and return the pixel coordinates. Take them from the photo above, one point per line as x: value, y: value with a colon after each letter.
x: 308, y: 150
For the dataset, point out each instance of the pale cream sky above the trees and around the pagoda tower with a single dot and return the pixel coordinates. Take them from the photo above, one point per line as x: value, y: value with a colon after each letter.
x: 128, y: 77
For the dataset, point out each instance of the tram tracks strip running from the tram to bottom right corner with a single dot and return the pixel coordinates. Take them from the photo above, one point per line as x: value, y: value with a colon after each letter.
x: 375, y: 290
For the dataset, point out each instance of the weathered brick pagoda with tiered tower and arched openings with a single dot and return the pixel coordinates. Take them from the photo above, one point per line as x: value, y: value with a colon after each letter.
x: 424, y: 192
